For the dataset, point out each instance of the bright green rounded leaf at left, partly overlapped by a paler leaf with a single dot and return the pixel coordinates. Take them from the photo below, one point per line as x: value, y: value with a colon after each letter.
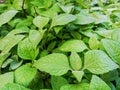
x: 27, y: 51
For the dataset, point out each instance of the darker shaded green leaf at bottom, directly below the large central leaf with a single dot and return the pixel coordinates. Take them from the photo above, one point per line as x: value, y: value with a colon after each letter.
x: 57, y: 82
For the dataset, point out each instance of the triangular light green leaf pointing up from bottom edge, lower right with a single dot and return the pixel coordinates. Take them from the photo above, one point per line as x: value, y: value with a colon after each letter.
x: 98, y: 84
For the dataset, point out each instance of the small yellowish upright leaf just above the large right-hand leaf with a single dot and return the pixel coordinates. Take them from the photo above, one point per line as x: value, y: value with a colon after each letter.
x: 93, y: 43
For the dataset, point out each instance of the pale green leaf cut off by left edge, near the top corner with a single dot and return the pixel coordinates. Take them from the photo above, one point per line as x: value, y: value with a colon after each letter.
x: 7, y: 16
